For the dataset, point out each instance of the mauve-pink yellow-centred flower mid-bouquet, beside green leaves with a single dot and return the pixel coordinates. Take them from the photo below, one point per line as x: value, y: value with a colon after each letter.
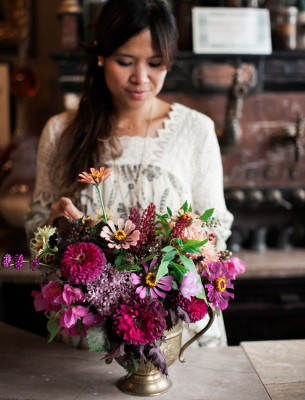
x: 148, y: 281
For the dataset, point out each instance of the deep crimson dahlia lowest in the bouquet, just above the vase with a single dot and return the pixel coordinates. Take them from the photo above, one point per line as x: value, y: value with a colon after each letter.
x: 140, y: 322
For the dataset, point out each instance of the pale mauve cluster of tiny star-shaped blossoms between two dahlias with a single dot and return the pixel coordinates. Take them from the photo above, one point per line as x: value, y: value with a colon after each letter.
x: 111, y: 288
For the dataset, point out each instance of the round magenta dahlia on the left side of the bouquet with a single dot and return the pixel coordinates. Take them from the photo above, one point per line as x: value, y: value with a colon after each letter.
x: 82, y: 262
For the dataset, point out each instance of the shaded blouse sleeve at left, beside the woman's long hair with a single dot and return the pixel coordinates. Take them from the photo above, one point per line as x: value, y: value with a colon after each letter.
x: 46, y: 191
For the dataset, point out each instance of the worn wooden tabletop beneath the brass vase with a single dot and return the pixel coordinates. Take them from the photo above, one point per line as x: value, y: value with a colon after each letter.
x: 31, y: 369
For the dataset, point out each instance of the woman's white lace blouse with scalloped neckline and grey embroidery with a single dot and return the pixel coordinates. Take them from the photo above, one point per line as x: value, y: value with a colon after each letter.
x: 182, y: 163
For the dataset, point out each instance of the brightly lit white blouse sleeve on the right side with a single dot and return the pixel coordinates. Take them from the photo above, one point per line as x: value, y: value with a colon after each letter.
x: 207, y: 181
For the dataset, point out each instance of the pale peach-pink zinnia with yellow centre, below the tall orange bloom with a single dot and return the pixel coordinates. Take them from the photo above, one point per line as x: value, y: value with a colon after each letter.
x: 125, y: 236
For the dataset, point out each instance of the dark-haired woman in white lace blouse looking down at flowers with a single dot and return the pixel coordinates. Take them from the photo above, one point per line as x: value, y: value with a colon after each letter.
x: 159, y: 152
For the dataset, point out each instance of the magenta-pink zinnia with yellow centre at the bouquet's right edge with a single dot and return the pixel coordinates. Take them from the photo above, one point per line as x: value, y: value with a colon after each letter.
x: 219, y: 277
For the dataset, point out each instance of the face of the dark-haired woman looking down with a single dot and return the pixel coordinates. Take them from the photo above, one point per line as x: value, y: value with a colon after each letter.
x: 135, y: 72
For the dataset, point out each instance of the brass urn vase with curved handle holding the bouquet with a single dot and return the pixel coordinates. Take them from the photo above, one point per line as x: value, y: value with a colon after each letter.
x: 148, y: 381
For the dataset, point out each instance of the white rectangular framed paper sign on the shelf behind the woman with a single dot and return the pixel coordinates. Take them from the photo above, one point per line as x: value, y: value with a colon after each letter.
x: 231, y: 30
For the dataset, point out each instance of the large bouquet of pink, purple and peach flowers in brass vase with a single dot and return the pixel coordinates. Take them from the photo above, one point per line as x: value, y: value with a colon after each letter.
x: 122, y: 283
